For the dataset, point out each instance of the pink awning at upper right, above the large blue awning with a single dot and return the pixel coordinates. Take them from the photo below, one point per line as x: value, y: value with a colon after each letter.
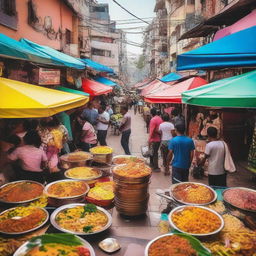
x: 246, y: 22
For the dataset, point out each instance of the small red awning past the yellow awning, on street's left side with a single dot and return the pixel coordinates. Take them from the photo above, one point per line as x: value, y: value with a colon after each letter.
x: 95, y: 88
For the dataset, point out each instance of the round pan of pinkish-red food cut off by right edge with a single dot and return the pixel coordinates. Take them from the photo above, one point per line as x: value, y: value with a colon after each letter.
x: 241, y: 198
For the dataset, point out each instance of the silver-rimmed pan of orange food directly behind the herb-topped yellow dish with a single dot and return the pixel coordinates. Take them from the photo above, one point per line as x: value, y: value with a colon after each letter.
x: 66, y: 189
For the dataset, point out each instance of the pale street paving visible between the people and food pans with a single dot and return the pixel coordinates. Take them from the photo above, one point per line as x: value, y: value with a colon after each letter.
x: 146, y: 227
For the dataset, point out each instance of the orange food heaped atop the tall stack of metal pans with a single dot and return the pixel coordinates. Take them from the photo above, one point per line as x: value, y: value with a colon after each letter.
x: 133, y: 170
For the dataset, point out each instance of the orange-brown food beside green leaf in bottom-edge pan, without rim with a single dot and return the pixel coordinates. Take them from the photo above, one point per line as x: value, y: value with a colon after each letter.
x: 172, y: 245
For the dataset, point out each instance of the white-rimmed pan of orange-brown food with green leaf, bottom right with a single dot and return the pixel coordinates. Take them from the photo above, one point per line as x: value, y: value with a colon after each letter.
x: 175, y: 245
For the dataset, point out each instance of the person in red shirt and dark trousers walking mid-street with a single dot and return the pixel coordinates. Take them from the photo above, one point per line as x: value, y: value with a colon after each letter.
x: 154, y: 138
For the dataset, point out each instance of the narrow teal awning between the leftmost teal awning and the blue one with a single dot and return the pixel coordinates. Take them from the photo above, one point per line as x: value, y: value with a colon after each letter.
x: 55, y: 55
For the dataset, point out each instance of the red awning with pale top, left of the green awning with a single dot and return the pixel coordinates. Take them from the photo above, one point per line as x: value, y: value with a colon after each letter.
x: 173, y: 94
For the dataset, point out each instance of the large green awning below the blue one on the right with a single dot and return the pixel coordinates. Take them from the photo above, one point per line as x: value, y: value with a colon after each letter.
x: 233, y: 92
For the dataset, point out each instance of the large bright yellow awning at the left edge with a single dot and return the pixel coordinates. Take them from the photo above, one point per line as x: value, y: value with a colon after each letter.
x: 22, y: 100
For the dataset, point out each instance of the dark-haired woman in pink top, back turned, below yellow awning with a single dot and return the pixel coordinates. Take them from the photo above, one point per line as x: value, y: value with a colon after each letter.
x: 32, y: 159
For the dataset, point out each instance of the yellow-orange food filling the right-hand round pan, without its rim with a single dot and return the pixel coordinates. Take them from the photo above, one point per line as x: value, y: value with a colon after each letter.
x: 196, y: 220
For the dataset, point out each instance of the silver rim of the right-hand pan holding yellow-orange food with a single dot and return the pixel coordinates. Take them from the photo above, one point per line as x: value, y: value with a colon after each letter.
x: 202, y: 207
